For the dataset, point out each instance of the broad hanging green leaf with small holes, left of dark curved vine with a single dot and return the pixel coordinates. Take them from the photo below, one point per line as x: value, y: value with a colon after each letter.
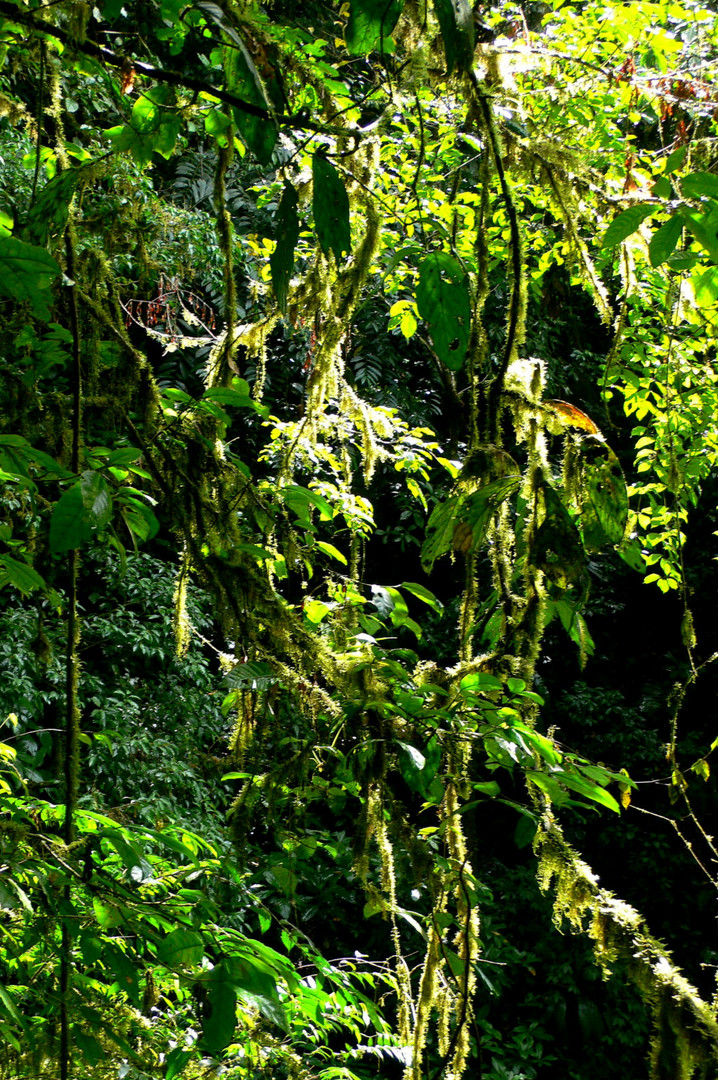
x: 444, y: 302
